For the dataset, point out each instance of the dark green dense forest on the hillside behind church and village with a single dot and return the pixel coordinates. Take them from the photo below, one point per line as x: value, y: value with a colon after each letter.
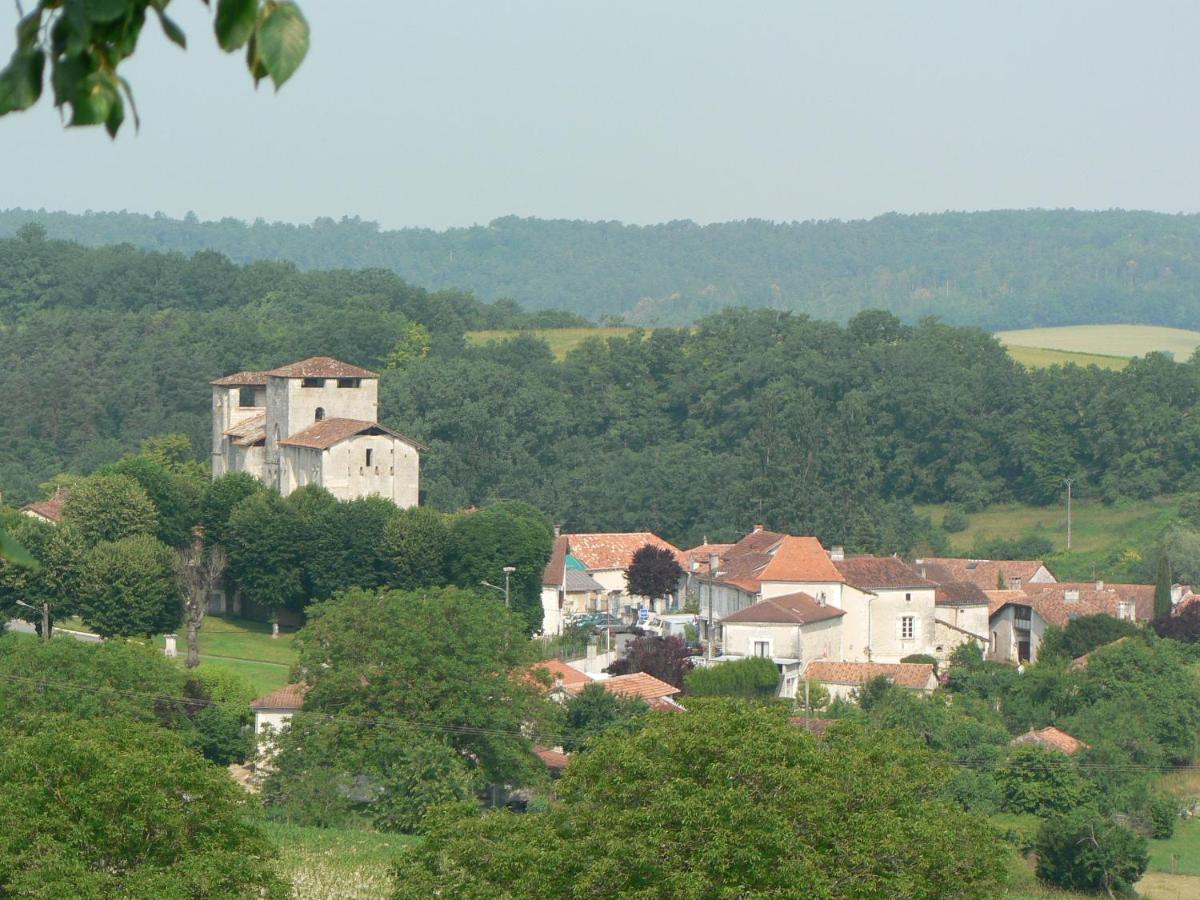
x: 753, y: 416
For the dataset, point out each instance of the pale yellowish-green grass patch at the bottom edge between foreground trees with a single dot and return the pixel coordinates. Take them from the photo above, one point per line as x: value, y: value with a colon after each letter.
x: 337, y: 865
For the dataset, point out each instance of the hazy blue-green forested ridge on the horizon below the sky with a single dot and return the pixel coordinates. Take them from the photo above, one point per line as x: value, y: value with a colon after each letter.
x: 997, y: 271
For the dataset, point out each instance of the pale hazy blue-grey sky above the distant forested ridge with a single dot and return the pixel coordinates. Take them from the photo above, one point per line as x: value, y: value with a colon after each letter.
x: 454, y: 113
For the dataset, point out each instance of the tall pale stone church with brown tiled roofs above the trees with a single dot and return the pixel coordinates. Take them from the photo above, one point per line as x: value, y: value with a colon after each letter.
x: 313, y: 423
